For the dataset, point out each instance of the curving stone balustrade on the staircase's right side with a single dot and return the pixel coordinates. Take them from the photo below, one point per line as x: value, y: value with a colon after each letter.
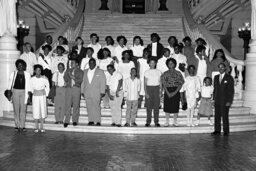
x: 195, y: 30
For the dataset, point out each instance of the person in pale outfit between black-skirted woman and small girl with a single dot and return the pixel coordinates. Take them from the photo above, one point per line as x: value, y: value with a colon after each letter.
x: 192, y: 90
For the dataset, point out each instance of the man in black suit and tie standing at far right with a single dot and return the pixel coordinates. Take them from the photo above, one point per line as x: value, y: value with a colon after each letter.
x: 223, y: 95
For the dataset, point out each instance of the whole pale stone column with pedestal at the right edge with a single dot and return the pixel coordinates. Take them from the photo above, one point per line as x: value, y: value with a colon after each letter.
x: 250, y: 63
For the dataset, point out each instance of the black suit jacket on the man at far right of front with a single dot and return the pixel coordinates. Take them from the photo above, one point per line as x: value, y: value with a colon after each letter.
x: 223, y: 92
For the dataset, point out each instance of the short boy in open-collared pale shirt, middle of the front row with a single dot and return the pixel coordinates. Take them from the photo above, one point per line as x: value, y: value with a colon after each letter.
x: 132, y: 87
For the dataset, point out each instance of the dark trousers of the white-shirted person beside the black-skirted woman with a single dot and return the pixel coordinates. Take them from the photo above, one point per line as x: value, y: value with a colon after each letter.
x: 153, y: 103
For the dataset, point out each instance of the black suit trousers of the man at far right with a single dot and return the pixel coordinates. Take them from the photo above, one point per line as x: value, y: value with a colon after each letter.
x: 221, y: 111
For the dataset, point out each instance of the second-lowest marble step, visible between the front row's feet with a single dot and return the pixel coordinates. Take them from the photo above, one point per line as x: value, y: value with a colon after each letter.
x: 107, y: 120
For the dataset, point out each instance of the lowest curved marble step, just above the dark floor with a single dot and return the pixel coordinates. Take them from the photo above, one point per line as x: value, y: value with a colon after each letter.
x: 182, y: 129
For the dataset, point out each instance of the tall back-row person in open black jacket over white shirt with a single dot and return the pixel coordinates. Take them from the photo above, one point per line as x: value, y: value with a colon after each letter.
x: 156, y: 49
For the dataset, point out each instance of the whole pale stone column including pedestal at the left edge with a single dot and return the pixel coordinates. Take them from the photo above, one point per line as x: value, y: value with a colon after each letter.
x: 8, y: 48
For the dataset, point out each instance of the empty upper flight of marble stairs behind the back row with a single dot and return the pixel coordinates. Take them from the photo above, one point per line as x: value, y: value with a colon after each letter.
x: 131, y: 25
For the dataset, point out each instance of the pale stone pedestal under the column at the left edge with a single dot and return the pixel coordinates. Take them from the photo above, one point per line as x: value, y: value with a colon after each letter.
x: 8, y: 55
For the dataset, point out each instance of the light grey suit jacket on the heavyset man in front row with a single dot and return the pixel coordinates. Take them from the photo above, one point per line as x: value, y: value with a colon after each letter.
x: 97, y: 85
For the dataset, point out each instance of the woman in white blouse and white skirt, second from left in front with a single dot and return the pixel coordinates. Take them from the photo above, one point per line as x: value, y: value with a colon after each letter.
x: 40, y: 89
